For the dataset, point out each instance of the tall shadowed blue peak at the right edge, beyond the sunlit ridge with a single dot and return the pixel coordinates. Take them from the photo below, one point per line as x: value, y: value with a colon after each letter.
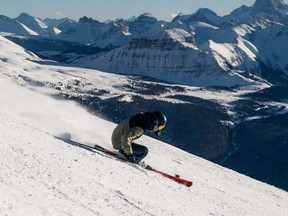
x: 267, y: 19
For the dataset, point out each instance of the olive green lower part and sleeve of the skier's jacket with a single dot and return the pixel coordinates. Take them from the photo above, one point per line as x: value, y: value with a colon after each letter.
x: 123, y: 136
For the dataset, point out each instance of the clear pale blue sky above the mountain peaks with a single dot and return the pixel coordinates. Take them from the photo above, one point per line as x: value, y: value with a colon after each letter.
x: 111, y: 9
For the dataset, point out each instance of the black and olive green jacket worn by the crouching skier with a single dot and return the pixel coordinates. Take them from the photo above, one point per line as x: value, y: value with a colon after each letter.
x: 131, y: 129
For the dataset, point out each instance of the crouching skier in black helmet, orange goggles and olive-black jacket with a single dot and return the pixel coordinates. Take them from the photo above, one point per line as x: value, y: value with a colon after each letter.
x: 133, y: 128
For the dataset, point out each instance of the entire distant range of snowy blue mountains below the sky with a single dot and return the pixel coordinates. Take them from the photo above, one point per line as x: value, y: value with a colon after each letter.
x: 201, y: 49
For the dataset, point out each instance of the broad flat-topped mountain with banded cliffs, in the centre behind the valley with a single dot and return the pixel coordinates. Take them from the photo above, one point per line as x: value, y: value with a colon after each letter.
x: 150, y: 57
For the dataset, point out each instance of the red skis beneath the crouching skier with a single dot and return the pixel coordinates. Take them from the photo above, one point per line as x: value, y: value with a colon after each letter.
x: 175, y: 178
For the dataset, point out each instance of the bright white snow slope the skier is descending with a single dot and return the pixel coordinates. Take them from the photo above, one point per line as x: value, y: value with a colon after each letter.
x: 42, y: 175
